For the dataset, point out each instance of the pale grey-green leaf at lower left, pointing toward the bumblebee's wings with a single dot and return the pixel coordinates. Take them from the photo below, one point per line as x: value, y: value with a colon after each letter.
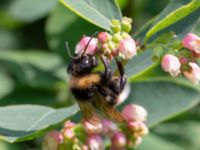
x: 25, y: 122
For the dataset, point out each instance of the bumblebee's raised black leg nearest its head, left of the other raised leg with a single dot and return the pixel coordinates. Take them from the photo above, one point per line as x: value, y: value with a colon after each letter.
x: 107, y: 75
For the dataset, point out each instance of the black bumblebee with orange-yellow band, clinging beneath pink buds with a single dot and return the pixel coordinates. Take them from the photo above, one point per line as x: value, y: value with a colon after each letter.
x: 96, y: 90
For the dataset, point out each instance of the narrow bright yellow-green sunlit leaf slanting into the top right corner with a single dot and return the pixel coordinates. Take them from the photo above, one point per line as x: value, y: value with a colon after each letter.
x: 174, y: 16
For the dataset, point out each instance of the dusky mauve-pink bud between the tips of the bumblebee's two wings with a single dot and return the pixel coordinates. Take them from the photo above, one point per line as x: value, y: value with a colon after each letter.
x: 109, y: 127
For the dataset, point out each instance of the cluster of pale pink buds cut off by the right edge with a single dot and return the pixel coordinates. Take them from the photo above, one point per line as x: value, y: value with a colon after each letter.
x: 186, y: 64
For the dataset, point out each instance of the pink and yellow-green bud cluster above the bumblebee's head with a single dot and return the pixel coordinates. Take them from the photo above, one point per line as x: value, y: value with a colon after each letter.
x: 116, y: 43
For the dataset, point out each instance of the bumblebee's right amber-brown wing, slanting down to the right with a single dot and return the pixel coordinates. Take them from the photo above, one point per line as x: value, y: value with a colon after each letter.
x: 109, y: 110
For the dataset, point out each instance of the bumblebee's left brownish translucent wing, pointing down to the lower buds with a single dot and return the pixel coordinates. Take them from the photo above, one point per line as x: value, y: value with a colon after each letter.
x: 88, y: 112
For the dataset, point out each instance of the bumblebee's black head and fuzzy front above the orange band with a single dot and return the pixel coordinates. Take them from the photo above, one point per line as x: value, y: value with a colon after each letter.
x: 82, y: 65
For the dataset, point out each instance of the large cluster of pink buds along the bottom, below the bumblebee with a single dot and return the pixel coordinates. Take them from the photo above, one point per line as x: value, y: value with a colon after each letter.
x: 89, y: 136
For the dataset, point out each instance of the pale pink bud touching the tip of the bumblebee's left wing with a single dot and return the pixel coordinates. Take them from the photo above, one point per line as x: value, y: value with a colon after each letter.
x: 92, y: 128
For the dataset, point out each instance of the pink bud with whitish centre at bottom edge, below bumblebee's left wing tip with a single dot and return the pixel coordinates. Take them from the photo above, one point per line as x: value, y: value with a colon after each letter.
x: 94, y: 142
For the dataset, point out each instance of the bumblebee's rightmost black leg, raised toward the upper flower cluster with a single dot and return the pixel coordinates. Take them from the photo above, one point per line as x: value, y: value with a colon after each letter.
x: 123, y: 78
